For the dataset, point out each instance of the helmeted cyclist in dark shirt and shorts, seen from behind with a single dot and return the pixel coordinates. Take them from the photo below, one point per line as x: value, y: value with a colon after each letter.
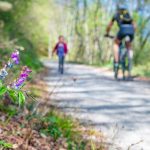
x: 126, y: 29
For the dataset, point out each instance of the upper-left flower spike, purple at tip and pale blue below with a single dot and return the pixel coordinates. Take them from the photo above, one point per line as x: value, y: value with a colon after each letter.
x: 14, y: 59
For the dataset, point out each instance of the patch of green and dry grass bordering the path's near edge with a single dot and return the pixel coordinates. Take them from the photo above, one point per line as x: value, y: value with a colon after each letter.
x: 67, y: 131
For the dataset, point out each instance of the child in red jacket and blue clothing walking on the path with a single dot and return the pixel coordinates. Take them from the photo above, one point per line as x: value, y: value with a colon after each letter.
x: 61, y: 51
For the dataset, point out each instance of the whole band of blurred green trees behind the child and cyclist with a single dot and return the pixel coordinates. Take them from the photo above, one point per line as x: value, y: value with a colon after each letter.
x: 36, y: 24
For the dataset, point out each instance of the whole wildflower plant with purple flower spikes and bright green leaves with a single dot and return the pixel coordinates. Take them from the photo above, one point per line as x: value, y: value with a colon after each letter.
x: 14, y: 89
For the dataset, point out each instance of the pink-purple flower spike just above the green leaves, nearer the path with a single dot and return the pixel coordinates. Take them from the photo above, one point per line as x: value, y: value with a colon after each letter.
x: 22, y: 78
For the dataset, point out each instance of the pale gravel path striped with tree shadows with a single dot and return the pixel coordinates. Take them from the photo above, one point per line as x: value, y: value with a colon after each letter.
x: 120, y: 109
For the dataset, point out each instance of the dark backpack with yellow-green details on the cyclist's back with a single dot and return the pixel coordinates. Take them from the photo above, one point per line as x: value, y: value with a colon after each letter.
x: 125, y: 17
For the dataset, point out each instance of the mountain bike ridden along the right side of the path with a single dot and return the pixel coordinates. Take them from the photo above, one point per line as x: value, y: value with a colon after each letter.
x: 125, y: 61
